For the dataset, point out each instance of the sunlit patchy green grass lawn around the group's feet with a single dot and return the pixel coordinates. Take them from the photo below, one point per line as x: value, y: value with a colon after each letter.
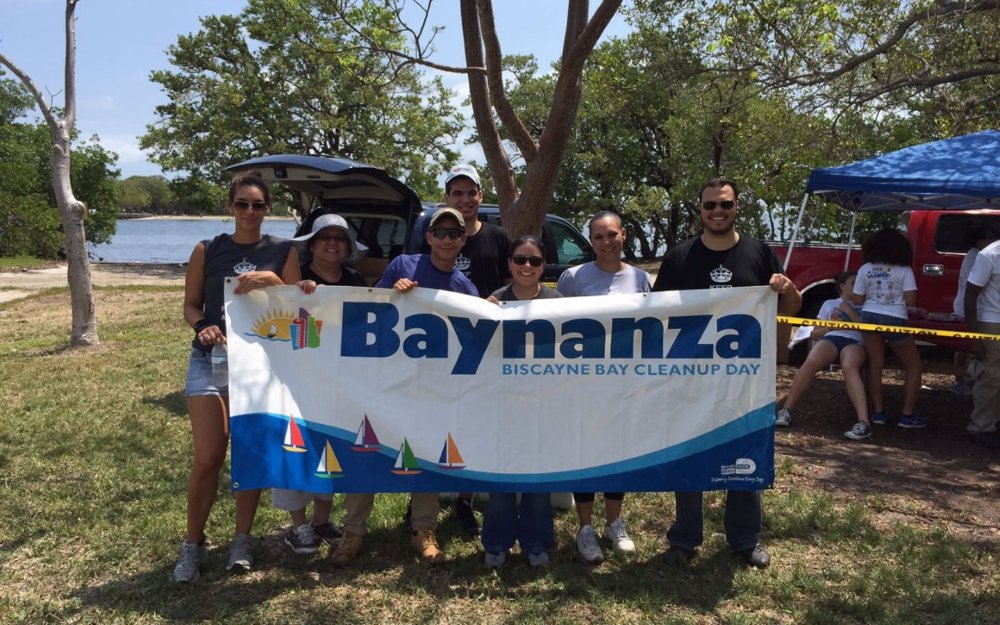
x: 94, y: 457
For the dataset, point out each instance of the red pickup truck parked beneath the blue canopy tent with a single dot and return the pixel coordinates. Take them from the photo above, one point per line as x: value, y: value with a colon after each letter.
x: 938, y: 238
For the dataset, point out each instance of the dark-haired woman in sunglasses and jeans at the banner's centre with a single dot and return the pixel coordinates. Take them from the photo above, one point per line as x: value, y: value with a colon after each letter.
x: 505, y: 520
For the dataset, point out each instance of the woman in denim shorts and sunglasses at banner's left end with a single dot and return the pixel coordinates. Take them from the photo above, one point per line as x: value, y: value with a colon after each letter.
x: 256, y: 260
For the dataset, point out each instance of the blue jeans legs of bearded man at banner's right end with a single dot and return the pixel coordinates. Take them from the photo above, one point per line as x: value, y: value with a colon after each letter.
x: 742, y: 521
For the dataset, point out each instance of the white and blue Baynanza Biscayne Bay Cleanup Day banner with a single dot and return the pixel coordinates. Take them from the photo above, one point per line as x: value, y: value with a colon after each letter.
x: 368, y: 390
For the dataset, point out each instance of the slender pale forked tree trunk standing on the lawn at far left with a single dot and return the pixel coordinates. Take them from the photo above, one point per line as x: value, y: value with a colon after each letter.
x: 72, y: 212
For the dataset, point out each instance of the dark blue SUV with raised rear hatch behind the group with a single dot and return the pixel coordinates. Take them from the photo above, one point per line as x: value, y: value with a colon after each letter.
x: 386, y: 215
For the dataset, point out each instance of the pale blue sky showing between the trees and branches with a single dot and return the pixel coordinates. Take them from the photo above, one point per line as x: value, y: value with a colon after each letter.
x: 120, y: 41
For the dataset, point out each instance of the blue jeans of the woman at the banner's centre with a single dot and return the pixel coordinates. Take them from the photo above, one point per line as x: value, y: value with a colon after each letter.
x: 530, y: 522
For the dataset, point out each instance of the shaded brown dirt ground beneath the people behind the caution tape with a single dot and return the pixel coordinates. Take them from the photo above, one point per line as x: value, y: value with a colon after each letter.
x: 931, y: 477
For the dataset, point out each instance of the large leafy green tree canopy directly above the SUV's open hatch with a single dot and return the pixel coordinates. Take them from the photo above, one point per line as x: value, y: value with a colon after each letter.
x: 286, y: 77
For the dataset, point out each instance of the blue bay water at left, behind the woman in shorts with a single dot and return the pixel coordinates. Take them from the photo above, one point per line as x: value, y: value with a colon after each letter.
x: 171, y: 240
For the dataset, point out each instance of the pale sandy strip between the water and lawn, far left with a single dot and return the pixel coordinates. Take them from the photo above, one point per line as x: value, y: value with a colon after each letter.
x: 17, y: 284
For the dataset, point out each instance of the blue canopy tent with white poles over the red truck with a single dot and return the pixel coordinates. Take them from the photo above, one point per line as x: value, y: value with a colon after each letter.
x: 957, y: 173
